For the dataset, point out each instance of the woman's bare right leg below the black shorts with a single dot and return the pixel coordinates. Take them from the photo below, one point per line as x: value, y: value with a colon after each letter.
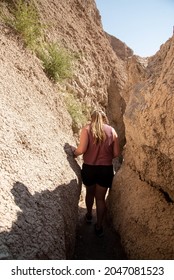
x: 100, y: 204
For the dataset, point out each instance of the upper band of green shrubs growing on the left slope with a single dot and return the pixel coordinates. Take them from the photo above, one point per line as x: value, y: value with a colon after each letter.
x: 57, y: 61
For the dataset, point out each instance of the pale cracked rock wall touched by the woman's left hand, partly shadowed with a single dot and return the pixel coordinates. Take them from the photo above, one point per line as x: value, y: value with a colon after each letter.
x: 40, y: 183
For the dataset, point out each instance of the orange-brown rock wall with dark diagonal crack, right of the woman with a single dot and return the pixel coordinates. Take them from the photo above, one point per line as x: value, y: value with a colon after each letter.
x: 142, y: 198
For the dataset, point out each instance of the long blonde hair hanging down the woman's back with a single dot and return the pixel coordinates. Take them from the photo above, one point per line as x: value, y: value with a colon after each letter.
x: 98, y: 118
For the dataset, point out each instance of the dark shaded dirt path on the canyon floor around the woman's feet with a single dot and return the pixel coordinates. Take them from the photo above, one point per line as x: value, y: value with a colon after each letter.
x: 91, y: 247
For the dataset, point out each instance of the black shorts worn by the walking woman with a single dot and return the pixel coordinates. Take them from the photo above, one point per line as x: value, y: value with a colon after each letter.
x: 97, y: 174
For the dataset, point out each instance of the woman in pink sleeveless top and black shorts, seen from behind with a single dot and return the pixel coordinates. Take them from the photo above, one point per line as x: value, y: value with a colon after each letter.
x: 99, y: 146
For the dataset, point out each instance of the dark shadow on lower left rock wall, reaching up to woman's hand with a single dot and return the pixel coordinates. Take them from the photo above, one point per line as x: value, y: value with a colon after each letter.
x: 44, y: 223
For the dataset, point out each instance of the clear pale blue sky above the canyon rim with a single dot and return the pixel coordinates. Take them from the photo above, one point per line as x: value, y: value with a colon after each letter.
x: 144, y: 25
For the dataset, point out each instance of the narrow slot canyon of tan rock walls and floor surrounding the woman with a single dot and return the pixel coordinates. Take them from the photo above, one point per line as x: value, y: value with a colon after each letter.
x: 41, y: 214
